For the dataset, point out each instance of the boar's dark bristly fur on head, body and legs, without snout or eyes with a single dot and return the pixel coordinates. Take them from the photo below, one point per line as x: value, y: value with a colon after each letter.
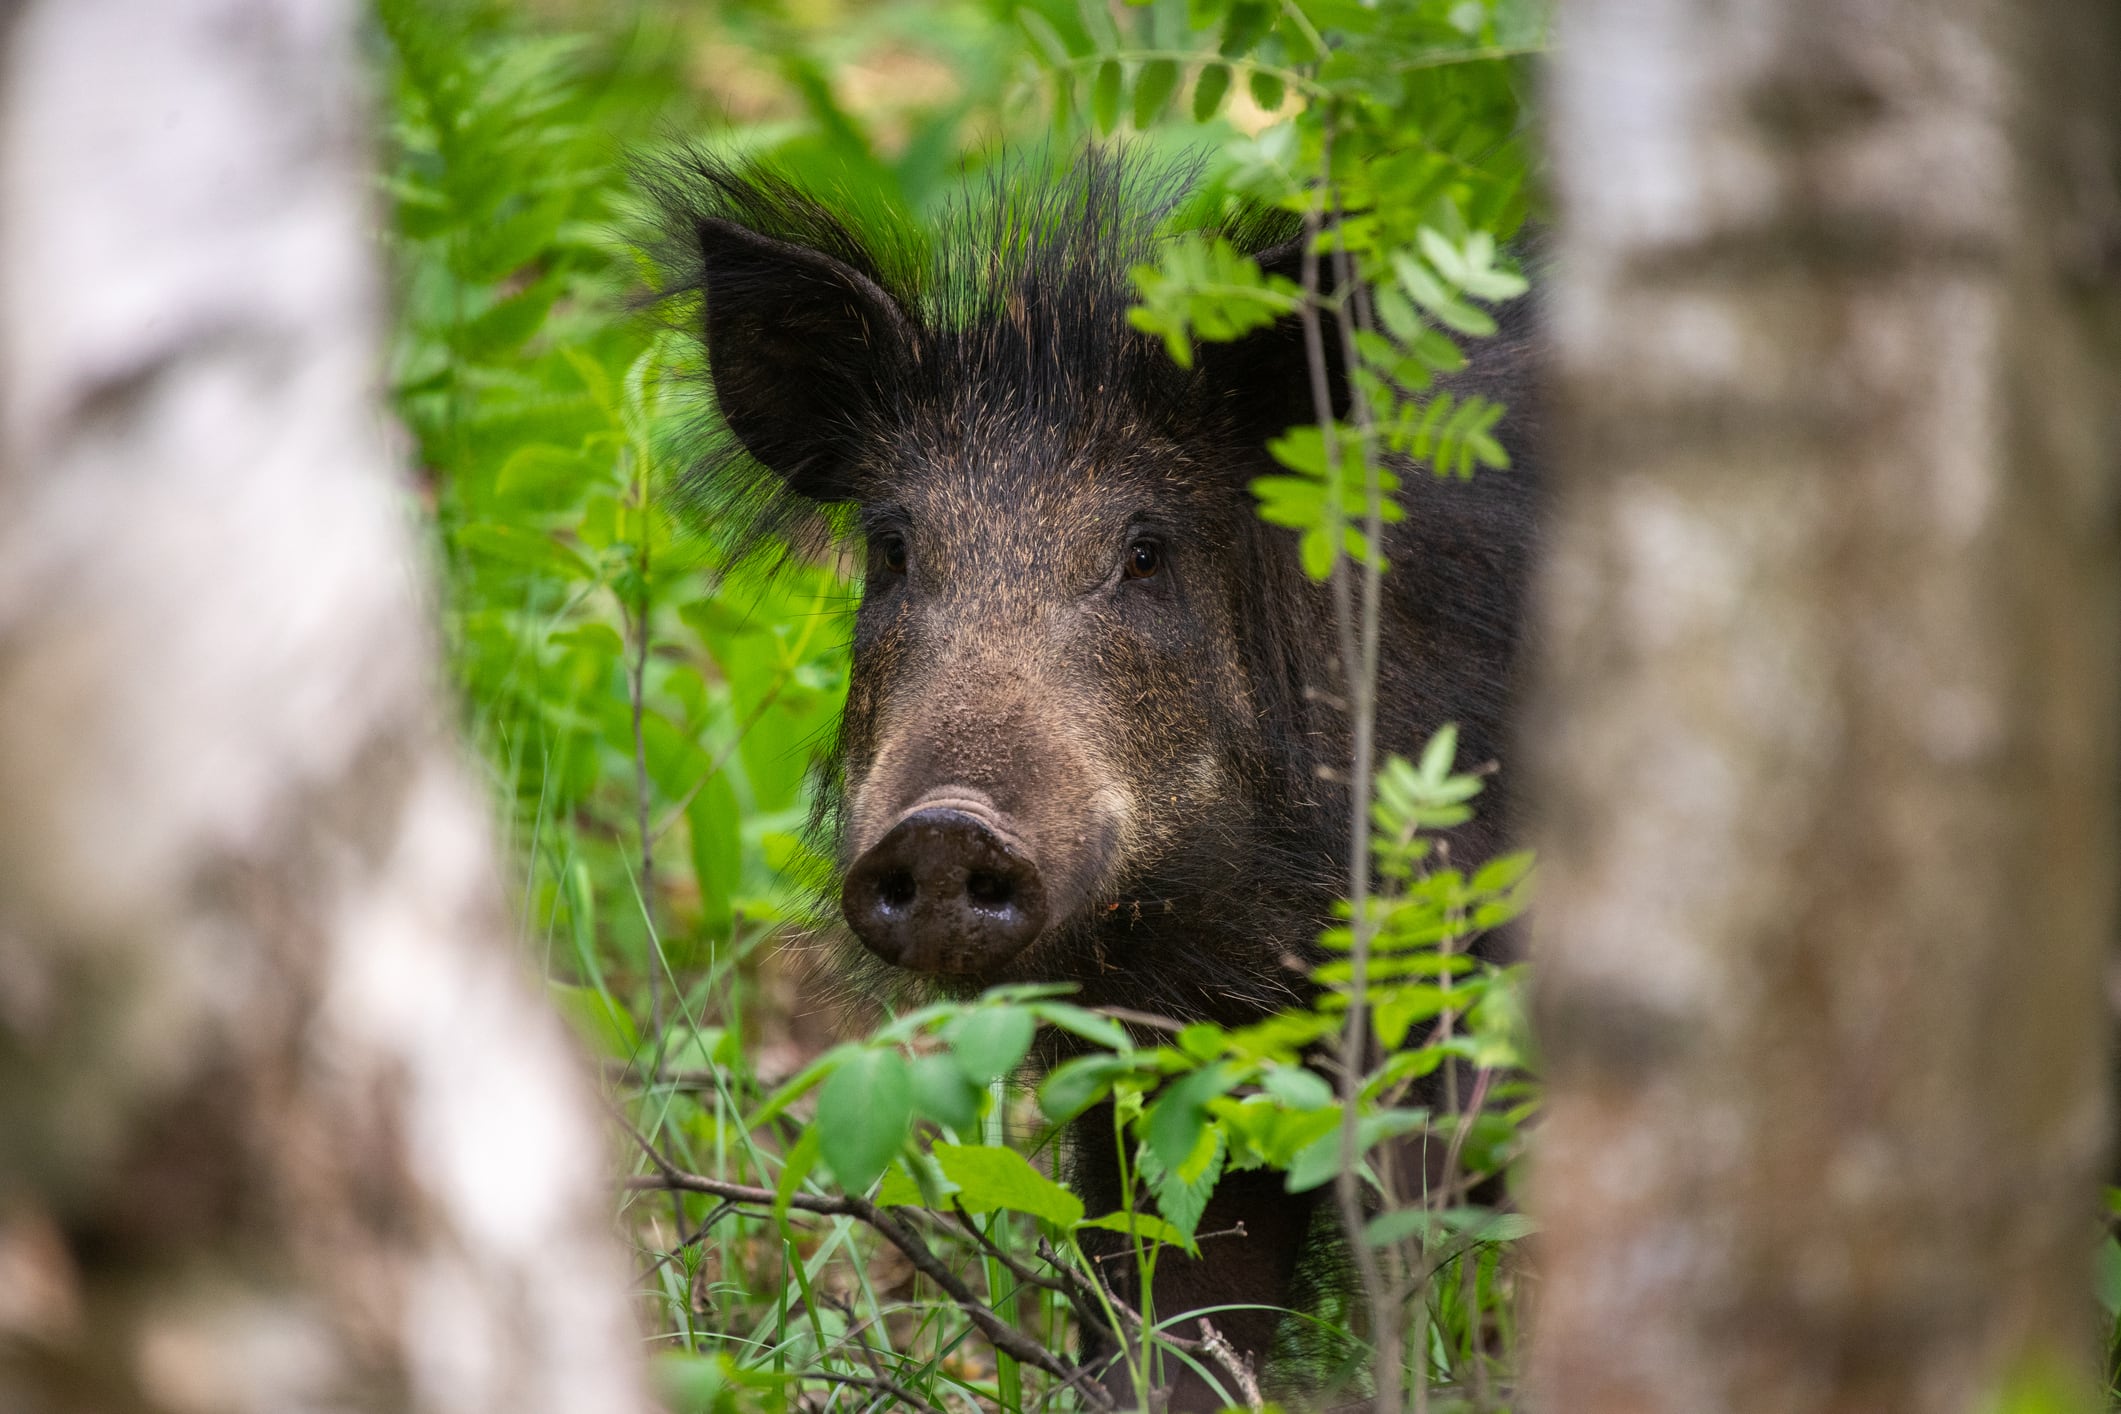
x: 981, y: 402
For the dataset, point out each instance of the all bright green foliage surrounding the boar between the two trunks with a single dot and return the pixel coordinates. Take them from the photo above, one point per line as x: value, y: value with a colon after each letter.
x: 650, y: 715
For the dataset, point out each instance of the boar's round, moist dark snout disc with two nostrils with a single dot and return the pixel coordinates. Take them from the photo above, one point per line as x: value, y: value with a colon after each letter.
x: 949, y: 889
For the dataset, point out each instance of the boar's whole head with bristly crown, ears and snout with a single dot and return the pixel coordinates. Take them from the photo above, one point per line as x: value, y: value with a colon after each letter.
x: 1081, y: 737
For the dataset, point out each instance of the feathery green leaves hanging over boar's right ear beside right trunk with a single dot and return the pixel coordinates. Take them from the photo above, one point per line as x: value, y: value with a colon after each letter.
x: 1401, y: 135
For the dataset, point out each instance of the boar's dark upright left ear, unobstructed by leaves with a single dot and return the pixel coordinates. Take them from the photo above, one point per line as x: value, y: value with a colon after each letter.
x: 803, y: 349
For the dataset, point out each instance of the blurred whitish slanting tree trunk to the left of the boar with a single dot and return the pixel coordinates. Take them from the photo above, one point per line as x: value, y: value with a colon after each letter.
x: 283, y: 1120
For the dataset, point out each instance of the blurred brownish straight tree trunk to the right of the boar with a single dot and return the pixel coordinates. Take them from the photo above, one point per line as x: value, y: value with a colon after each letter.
x: 1827, y: 726
